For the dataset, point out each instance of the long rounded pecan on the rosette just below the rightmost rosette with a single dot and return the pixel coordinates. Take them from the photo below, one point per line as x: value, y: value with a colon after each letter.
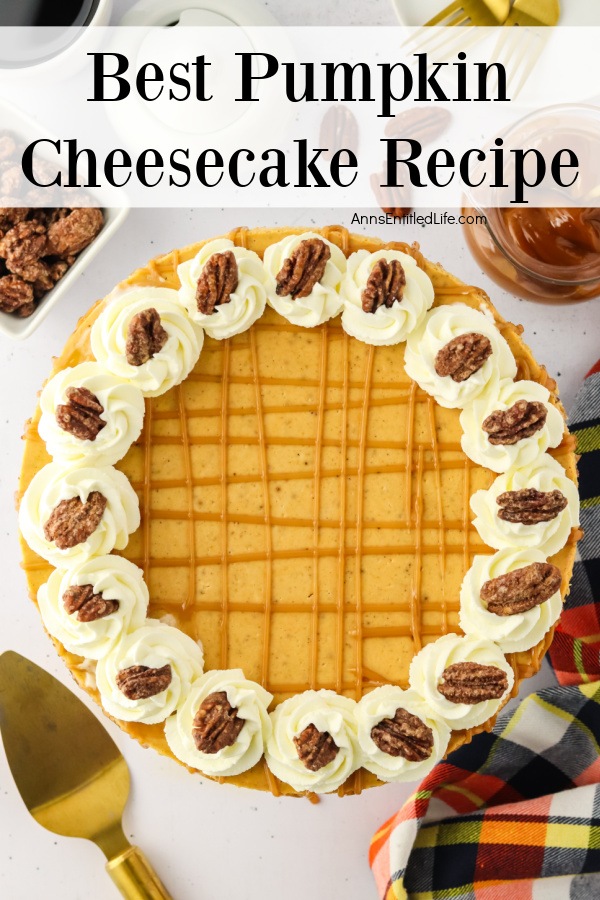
x: 522, y: 589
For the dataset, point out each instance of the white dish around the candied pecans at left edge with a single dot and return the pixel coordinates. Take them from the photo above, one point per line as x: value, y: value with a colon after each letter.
x: 12, y: 326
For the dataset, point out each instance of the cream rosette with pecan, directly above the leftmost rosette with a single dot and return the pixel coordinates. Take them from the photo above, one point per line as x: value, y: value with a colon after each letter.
x: 101, y: 437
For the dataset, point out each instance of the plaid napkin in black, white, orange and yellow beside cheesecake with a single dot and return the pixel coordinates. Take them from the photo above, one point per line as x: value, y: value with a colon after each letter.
x: 516, y: 814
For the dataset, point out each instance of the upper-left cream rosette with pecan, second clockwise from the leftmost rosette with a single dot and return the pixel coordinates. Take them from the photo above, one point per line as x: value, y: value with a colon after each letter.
x: 170, y: 357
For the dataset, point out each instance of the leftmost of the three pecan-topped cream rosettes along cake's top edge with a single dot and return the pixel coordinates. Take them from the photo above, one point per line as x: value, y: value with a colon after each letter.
x: 242, y: 304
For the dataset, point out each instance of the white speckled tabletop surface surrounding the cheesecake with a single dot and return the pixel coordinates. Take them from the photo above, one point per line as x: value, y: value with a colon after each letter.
x: 208, y: 840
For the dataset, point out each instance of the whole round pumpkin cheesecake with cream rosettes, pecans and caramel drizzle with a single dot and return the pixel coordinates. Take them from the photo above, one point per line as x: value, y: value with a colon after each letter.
x: 357, y: 509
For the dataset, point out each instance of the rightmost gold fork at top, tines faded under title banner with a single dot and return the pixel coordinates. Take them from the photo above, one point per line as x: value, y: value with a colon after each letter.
x: 529, y: 14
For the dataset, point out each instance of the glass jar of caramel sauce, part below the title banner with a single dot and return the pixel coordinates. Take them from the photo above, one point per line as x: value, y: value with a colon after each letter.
x: 550, y: 254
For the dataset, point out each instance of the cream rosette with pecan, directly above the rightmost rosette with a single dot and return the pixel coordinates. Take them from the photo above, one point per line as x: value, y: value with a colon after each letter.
x: 512, y: 428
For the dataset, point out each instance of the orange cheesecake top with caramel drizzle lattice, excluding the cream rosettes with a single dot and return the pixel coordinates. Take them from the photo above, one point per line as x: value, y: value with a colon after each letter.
x: 305, y: 506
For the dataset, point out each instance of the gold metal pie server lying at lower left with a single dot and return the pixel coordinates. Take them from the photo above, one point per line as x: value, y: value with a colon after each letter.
x: 69, y: 772
